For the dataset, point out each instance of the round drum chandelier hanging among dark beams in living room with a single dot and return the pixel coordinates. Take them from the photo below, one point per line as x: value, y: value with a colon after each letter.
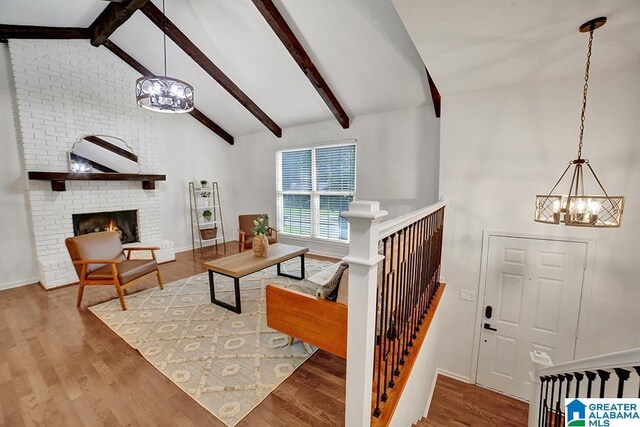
x: 161, y: 93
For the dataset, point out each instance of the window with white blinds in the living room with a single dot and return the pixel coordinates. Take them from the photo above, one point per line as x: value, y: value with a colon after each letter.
x: 313, y: 186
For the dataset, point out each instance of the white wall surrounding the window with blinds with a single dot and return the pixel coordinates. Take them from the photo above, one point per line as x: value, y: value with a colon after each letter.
x: 396, y: 164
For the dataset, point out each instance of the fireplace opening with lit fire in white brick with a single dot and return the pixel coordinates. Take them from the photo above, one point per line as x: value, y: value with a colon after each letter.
x: 124, y: 222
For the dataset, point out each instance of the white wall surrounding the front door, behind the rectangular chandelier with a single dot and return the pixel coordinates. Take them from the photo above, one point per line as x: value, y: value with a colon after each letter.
x: 503, y: 146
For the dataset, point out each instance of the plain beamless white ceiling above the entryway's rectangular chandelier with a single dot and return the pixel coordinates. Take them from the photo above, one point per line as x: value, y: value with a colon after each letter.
x: 472, y: 45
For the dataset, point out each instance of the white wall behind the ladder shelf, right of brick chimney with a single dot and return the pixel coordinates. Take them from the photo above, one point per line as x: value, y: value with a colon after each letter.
x: 191, y: 152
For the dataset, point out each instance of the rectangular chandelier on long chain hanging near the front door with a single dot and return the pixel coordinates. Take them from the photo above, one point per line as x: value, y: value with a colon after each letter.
x: 577, y: 208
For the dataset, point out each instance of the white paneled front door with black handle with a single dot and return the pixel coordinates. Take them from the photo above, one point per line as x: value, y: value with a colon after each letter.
x: 531, y: 302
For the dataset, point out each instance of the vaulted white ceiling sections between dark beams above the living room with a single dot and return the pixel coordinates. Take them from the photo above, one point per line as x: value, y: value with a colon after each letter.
x: 360, y: 46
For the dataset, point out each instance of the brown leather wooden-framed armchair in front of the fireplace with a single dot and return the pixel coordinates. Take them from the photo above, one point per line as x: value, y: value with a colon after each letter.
x: 100, y: 259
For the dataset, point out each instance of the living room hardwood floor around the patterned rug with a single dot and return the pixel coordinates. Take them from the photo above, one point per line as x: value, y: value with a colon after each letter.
x: 60, y: 365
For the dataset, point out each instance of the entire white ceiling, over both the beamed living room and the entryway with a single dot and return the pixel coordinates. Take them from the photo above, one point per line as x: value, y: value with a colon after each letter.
x: 361, y: 47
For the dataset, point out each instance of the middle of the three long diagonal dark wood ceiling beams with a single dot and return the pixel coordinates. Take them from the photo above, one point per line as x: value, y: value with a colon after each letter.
x: 155, y: 15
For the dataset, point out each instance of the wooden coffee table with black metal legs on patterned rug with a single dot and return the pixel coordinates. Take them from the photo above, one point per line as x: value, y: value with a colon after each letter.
x: 245, y: 263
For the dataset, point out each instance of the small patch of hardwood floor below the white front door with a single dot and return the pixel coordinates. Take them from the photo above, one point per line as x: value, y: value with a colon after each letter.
x: 456, y: 403
